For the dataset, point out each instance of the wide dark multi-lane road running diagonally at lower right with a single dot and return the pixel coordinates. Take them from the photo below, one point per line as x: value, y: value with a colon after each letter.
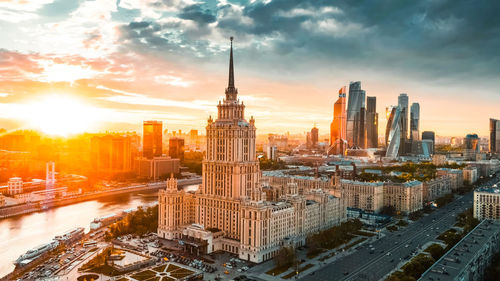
x: 394, y: 247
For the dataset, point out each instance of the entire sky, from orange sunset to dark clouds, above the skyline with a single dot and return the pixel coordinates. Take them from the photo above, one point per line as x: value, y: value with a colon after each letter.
x: 68, y: 66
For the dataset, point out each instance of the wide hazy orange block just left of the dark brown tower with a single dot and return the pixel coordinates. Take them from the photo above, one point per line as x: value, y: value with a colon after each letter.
x: 111, y: 154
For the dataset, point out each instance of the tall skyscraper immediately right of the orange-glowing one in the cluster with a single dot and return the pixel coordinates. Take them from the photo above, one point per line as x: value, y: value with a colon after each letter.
x: 354, y: 104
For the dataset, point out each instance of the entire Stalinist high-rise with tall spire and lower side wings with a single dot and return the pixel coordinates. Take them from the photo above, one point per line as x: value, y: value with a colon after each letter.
x: 234, y: 210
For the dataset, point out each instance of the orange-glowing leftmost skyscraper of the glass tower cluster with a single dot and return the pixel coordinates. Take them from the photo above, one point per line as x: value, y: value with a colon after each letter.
x: 338, y: 125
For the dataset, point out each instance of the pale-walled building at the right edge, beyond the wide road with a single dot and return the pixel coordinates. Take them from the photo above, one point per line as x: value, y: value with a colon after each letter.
x: 487, y: 203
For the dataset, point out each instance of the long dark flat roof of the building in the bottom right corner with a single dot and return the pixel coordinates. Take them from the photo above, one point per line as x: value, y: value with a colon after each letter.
x: 455, y: 261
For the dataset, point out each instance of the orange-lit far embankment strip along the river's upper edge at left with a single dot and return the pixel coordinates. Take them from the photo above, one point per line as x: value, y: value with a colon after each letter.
x: 26, y: 208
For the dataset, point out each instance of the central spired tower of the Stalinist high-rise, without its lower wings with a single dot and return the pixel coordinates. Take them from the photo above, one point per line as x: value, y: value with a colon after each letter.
x: 230, y: 168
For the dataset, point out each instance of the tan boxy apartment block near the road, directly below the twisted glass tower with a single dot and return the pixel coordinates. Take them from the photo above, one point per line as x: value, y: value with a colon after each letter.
x: 404, y: 197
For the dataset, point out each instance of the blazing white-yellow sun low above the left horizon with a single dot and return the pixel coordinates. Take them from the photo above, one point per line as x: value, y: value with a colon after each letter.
x: 59, y: 114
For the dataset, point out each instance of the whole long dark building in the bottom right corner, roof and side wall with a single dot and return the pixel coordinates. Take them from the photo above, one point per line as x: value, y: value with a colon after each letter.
x: 469, y: 258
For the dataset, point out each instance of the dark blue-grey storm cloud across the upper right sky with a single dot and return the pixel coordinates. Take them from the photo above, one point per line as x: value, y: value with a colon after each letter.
x: 429, y: 38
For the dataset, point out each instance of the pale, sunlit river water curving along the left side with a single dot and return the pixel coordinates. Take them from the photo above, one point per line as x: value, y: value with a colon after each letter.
x: 21, y: 233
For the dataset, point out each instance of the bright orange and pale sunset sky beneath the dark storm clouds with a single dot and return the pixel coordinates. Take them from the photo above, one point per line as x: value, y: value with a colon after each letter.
x: 87, y: 70
